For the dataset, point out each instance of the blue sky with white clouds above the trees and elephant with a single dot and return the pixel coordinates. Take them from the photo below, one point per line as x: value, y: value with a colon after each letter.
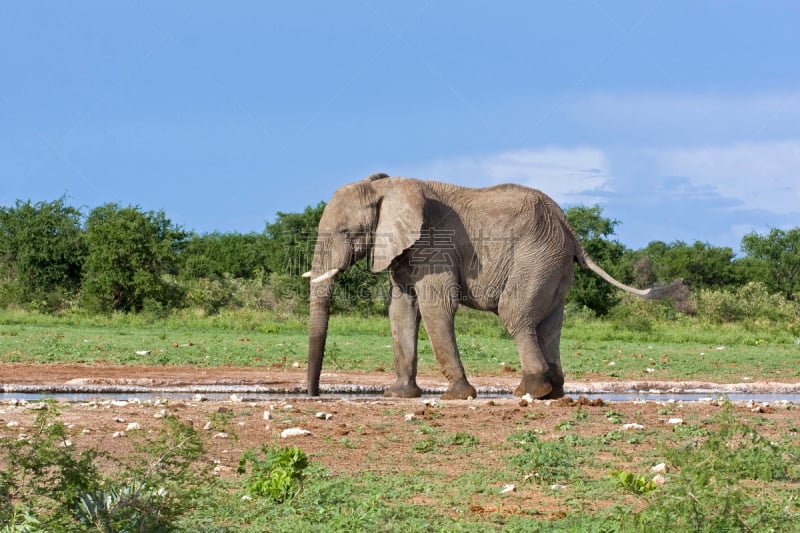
x: 681, y: 119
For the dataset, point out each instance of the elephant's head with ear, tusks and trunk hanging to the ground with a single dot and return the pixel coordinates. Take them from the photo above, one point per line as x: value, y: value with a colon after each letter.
x: 378, y: 217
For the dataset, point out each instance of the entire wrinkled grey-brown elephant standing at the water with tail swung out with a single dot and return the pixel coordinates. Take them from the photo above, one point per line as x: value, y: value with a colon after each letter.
x: 507, y: 249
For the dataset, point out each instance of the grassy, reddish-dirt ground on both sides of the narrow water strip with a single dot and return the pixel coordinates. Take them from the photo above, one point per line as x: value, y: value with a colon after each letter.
x: 294, y: 463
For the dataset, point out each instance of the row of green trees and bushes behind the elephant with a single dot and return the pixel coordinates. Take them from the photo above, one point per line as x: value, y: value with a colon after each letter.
x: 115, y: 258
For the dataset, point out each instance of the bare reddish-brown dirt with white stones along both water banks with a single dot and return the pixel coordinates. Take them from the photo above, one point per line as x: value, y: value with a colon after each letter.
x: 382, y: 436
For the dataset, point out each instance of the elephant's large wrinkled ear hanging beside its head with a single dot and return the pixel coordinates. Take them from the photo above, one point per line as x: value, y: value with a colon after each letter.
x: 399, y: 220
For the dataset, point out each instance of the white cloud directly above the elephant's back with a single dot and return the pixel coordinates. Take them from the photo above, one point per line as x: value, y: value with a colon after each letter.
x: 569, y: 175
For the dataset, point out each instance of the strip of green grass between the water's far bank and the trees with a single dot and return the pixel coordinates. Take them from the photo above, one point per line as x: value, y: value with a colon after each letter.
x: 680, y: 349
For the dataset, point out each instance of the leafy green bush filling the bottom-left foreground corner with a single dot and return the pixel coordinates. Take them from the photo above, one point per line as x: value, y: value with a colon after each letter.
x: 49, y: 486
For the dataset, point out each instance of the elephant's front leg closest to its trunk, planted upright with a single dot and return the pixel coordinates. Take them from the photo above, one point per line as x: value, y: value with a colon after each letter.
x: 404, y: 319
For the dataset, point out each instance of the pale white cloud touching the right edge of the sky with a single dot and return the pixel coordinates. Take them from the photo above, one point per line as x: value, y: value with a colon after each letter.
x: 763, y: 176
